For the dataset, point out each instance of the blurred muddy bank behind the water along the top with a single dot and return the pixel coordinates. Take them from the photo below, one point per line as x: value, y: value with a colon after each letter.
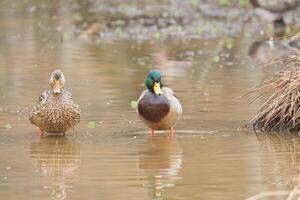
x: 162, y: 20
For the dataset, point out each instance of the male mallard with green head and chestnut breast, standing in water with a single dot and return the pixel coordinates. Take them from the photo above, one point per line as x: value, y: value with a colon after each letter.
x: 157, y: 106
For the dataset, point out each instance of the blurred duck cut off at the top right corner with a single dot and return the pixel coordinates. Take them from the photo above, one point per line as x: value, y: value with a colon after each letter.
x: 274, y: 10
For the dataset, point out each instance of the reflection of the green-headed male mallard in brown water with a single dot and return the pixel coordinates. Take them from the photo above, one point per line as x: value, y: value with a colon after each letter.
x: 160, y: 162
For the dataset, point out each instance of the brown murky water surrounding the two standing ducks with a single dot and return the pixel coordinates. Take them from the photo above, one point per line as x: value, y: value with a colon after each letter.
x: 208, y: 159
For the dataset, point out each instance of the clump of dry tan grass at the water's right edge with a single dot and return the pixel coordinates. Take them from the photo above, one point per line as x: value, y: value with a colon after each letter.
x: 281, y: 98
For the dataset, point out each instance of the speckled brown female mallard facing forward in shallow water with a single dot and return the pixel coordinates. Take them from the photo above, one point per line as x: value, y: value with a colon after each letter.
x: 56, y: 111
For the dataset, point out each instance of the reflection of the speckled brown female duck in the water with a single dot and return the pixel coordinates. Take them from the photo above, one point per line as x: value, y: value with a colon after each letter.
x: 57, y: 158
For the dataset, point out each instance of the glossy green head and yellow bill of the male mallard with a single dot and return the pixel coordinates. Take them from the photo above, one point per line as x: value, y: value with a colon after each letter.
x: 154, y: 82
